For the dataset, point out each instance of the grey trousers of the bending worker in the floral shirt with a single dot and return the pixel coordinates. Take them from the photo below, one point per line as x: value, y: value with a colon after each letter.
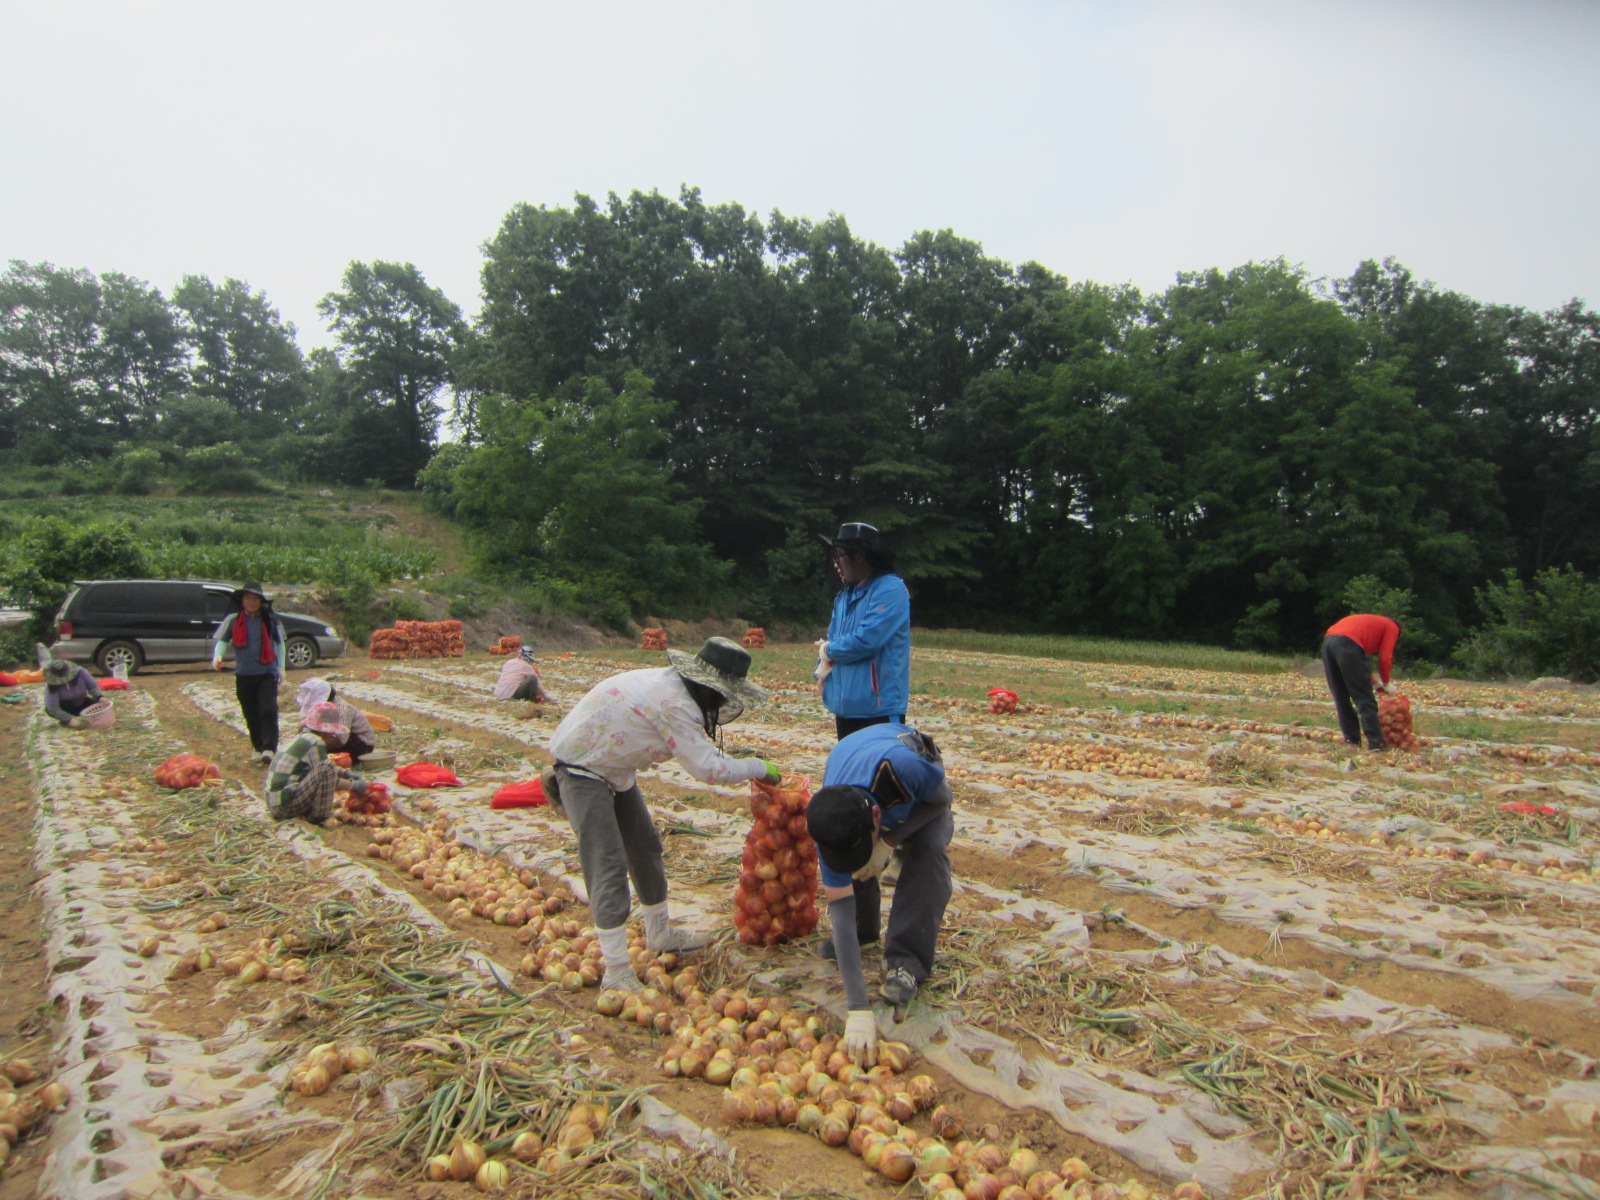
x: 617, y: 841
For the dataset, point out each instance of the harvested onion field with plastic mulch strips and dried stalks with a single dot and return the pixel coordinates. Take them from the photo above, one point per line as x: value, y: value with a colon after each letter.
x: 1196, y: 948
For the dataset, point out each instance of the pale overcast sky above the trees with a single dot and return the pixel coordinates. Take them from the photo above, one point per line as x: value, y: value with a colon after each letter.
x: 1116, y: 142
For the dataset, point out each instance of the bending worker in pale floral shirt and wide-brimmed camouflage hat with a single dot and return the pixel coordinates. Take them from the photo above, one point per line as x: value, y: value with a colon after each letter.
x: 626, y: 724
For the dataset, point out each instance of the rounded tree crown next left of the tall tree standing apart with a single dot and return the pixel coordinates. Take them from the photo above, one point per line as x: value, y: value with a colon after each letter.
x: 244, y: 353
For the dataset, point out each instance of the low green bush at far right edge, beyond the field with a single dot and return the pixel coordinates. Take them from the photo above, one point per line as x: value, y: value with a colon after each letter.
x: 1550, y: 628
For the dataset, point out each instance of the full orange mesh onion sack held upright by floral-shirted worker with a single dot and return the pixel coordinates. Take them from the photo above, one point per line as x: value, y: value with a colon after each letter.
x: 777, y: 895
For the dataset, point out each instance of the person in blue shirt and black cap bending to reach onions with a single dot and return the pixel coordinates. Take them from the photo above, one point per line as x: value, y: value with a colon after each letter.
x: 884, y: 794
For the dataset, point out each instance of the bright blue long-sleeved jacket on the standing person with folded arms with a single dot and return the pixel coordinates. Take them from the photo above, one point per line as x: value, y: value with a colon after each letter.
x: 870, y: 641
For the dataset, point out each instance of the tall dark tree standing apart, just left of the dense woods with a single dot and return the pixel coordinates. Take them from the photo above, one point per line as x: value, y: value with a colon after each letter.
x: 401, y: 338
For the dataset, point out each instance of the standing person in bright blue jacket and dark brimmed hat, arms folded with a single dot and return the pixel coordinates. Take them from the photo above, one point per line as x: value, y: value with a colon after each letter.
x: 865, y: 666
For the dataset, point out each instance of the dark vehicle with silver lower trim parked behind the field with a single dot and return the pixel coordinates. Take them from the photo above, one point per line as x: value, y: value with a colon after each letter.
x: 132, y: 623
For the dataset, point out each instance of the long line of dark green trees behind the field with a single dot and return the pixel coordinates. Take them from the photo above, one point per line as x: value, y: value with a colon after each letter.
x: 662, y: 402
